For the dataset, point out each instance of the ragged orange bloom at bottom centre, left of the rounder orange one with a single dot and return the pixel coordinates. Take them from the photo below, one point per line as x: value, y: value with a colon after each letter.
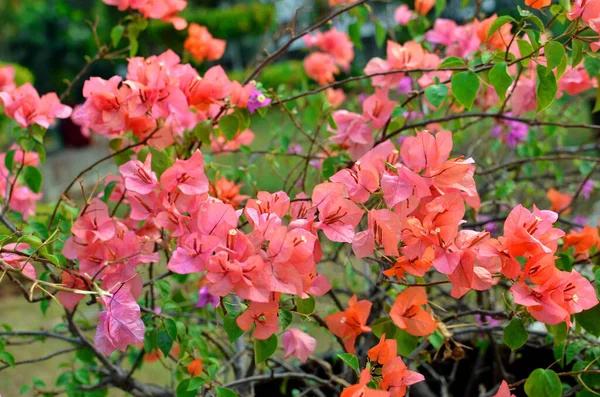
x: 351, y: 322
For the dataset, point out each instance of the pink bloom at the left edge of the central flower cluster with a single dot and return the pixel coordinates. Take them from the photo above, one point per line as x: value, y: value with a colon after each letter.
x: 192, y: 255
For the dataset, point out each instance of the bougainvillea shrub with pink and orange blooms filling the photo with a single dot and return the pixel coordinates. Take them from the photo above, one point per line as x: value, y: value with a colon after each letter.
x: 393, y: 245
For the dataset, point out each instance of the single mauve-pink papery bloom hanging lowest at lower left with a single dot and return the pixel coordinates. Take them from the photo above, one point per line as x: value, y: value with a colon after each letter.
x: 120, y: 325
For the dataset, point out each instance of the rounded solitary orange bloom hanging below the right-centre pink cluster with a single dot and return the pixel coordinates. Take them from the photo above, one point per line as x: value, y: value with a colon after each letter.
x: 408, y: 314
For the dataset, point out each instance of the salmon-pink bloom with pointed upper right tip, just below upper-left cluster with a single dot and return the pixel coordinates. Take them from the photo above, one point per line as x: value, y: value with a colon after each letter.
x: 186, y: 175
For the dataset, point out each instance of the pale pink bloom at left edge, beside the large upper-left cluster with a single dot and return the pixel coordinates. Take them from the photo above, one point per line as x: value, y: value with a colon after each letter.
x: 26, y: 107
